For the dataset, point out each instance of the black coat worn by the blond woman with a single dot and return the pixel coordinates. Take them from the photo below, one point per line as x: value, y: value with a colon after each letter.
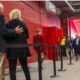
x: 18, y: 39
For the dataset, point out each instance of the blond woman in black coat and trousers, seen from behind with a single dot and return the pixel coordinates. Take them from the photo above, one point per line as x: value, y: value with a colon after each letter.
x: 18, y: 53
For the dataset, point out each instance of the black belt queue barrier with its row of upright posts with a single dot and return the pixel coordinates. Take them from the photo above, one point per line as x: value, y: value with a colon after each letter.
x: 39, y: 55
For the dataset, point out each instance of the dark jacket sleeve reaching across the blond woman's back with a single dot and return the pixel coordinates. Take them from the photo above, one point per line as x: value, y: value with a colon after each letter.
x: 6, y: 32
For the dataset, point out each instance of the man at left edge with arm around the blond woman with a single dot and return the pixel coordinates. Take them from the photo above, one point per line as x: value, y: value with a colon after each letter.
x: 5, y: 32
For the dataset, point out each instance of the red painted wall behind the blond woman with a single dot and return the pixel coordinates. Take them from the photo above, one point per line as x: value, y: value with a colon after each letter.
x: 34, y: 16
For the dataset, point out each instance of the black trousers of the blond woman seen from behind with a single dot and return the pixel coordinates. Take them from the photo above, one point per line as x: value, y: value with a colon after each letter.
x: 12, y: 68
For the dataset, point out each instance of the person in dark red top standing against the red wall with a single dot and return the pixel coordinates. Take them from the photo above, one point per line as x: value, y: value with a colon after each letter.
x: 38, y: 38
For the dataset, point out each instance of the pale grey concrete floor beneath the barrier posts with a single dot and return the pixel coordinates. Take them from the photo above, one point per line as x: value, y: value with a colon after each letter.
x: 72, y: 71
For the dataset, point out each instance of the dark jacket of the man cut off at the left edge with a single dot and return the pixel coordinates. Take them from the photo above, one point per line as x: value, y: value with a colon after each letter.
x: 4, y: 32
